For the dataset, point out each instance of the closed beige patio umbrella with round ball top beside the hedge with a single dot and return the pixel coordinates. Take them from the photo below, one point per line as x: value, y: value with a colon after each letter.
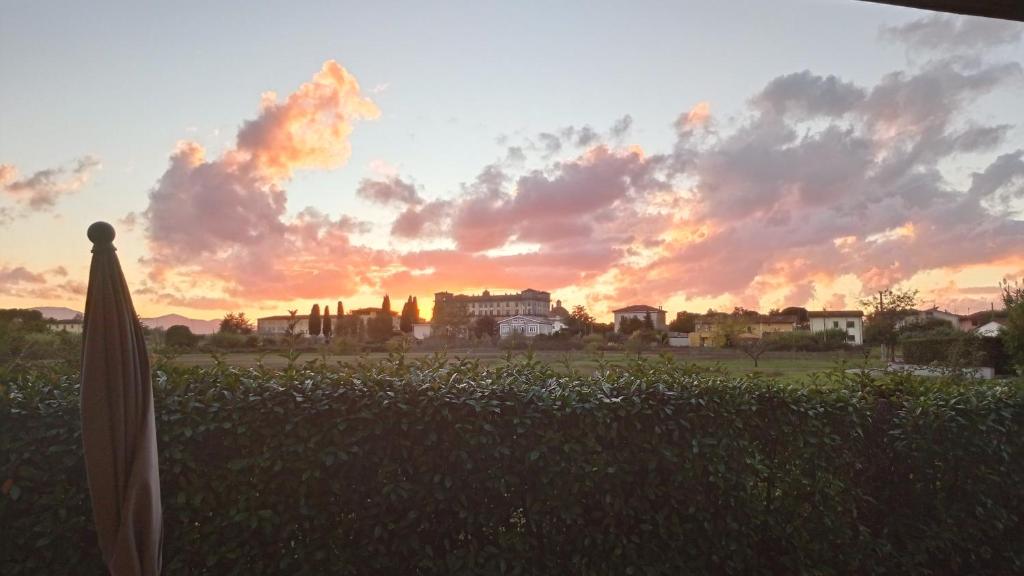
x: 119, y: 430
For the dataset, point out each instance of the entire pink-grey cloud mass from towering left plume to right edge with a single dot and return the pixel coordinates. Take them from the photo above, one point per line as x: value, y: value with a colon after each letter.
x: 820, y: 181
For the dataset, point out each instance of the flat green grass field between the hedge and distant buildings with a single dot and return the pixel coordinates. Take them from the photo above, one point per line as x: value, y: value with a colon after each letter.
x: 787, y: 366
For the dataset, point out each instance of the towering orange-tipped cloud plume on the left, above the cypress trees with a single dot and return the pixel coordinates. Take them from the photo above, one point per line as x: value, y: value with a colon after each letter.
x: 226, y: 220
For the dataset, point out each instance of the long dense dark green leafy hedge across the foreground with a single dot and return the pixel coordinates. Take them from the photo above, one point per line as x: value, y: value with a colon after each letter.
x: 437, y: 468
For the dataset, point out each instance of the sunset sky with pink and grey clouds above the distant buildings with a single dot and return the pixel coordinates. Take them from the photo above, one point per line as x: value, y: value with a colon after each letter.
x: 259, y: 157
